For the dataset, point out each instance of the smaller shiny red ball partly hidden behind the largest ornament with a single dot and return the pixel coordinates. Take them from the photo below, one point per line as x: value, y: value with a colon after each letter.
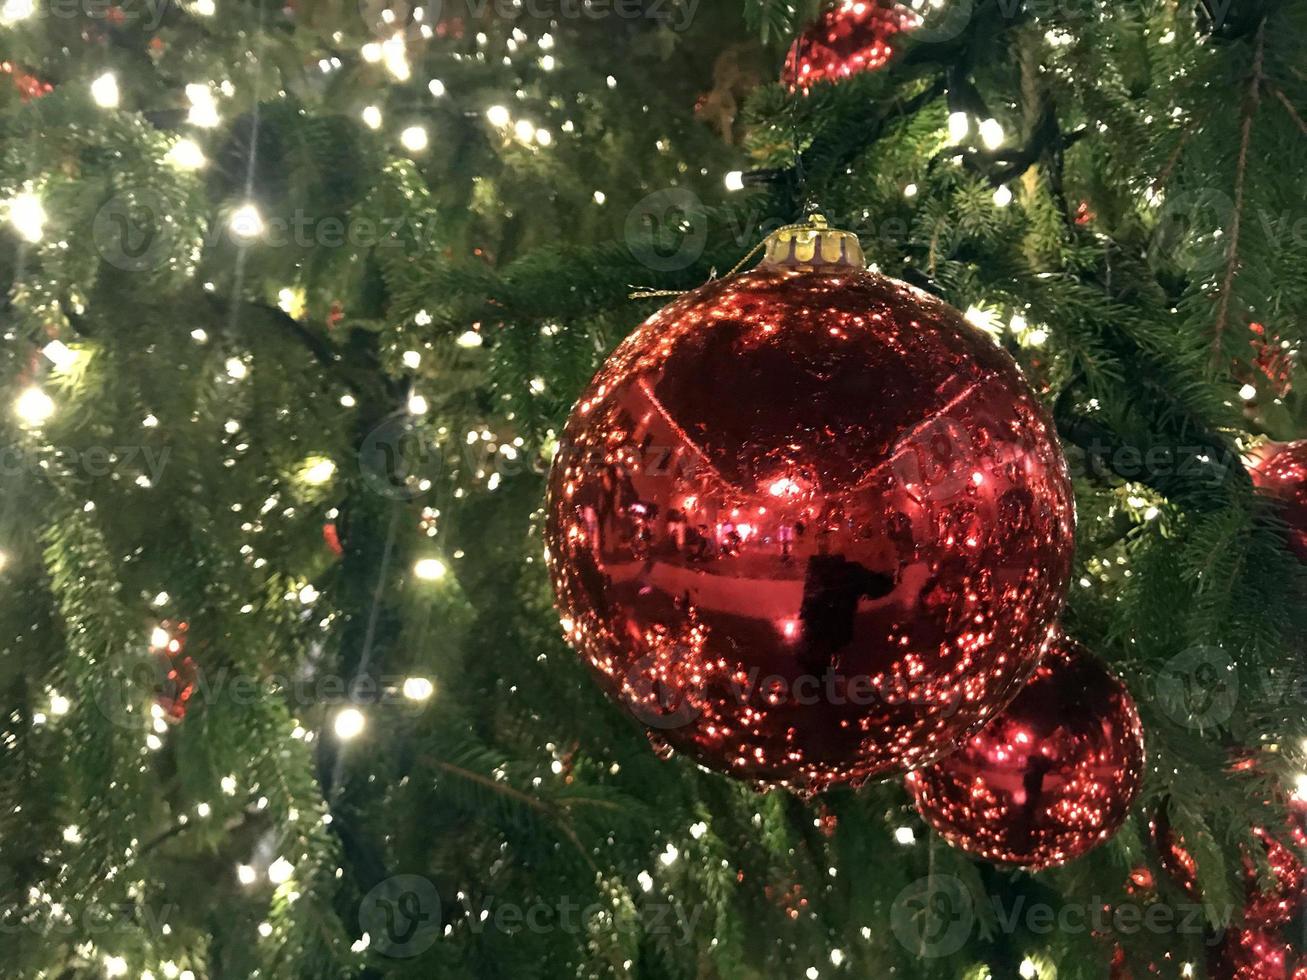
x: 1049, y: 779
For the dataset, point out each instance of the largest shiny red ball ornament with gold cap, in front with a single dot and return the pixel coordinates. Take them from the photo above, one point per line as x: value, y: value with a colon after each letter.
x: 808, y: 525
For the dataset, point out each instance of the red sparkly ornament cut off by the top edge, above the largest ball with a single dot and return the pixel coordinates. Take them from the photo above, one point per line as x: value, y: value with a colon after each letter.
x: 850, y: 37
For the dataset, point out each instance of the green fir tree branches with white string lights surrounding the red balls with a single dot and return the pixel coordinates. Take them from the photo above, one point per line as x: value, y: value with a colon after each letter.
x: 1156, y: 169
